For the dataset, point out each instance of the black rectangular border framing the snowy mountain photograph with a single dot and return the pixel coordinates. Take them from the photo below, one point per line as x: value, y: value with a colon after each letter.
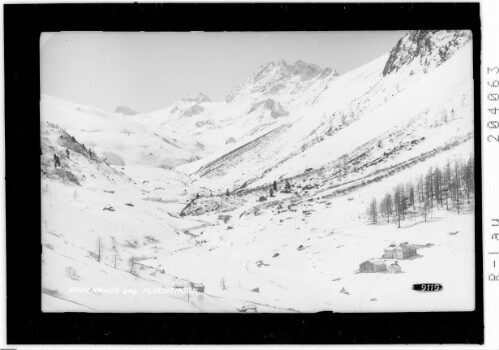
x: 28, y: 325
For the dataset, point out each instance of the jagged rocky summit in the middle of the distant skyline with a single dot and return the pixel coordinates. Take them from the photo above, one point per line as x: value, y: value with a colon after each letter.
x: 273, y: 78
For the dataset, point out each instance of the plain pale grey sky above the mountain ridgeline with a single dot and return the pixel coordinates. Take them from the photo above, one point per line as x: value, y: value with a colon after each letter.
x: 149, y: 71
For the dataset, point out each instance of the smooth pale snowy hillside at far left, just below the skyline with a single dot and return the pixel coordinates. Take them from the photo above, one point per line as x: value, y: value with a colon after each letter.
x: 119, y: 138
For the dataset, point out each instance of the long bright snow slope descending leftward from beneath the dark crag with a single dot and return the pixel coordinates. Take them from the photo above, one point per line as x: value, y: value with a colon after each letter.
x: 359, y: 105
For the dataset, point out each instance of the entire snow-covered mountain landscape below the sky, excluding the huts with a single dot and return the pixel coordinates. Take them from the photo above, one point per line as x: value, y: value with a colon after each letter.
x: 258, y: 203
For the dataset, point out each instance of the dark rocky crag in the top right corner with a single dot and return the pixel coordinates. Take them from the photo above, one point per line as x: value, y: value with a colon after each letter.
x: 423, y: 50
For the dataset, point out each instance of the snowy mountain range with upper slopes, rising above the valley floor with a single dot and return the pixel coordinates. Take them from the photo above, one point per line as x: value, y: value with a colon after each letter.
x: 286, y: 118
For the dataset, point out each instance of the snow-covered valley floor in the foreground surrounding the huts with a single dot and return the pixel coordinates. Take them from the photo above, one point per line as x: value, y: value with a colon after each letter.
x: 125, y: 248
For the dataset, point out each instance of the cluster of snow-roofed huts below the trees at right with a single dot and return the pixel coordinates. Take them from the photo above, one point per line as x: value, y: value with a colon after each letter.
x: 393, y: 251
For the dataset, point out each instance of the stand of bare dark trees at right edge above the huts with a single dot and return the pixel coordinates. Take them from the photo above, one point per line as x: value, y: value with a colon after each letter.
x: 450, y: 188
